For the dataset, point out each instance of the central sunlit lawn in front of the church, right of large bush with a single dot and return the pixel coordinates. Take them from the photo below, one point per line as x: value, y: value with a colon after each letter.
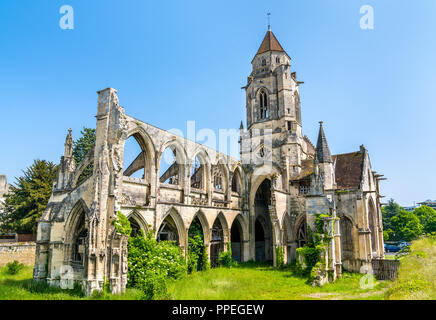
x: 254, y: 281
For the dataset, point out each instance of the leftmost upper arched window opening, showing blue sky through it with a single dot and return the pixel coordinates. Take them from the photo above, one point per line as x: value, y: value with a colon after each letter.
x: 134, y: 159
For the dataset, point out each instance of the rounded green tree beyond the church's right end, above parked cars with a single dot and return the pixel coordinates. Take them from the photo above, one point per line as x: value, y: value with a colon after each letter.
x: 406, y: 226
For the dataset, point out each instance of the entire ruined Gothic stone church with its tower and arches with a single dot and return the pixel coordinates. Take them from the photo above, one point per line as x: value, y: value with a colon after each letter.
x: 266, y: 199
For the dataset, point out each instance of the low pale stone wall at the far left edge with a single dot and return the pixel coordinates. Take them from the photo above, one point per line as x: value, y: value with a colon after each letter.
x: 24, y: 252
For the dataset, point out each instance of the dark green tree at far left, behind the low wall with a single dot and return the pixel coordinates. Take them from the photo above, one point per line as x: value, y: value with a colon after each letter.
x: 26, y: 202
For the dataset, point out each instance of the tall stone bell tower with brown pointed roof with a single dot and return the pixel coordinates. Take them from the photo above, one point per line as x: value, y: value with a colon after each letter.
x: 273, y: 110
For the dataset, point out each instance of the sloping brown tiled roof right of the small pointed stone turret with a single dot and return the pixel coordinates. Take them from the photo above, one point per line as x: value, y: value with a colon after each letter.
x: 348, y: 170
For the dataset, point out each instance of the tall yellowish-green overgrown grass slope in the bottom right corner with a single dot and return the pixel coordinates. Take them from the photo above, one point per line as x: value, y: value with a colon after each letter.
x: 417, y: 274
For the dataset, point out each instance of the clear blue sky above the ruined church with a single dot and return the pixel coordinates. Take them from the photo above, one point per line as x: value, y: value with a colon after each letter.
x: 173, y: 61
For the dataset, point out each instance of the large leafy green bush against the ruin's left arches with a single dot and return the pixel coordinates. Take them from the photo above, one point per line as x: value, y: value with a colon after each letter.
x: 152, y: 263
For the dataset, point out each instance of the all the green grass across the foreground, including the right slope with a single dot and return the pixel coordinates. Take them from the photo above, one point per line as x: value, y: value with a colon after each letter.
x: 417, y: 280
